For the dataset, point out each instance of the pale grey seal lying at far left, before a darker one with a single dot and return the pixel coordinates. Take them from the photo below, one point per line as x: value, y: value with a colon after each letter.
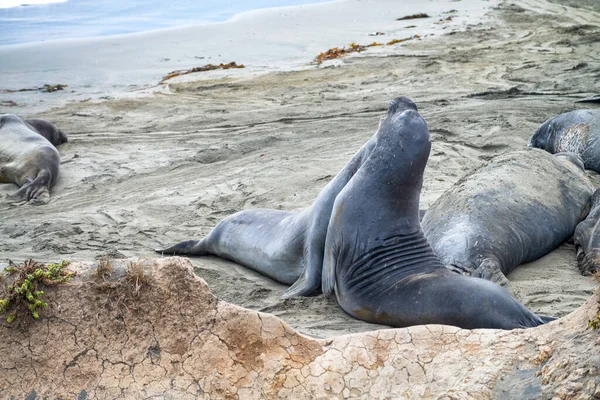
x: 27, y: 159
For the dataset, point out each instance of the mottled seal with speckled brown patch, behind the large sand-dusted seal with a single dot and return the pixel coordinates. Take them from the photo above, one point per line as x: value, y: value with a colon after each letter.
x: 576, y: 132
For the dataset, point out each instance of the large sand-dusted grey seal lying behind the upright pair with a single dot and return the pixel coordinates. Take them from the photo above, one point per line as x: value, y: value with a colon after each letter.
x: 516, y: 209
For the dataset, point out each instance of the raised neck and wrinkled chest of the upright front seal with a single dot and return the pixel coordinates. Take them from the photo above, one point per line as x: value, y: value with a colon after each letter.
x: 380, y: 207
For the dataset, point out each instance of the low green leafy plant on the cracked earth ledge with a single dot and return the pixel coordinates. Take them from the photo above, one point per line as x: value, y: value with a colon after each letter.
x: 22, y: 283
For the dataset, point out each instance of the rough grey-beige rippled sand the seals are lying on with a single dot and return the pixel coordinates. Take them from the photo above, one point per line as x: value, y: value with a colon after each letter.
x: 142, y: 173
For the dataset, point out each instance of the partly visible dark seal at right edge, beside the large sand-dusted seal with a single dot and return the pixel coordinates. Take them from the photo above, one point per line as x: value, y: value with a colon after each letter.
x: 587, y: 239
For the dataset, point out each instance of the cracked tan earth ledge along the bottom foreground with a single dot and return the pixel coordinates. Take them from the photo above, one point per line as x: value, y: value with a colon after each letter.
x: 164, y: 335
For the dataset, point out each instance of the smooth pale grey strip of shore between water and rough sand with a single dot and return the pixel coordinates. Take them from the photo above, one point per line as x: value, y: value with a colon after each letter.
x: 264, y: 40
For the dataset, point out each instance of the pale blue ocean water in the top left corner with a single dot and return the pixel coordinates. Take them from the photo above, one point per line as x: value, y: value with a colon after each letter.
x: 23, y: 21
